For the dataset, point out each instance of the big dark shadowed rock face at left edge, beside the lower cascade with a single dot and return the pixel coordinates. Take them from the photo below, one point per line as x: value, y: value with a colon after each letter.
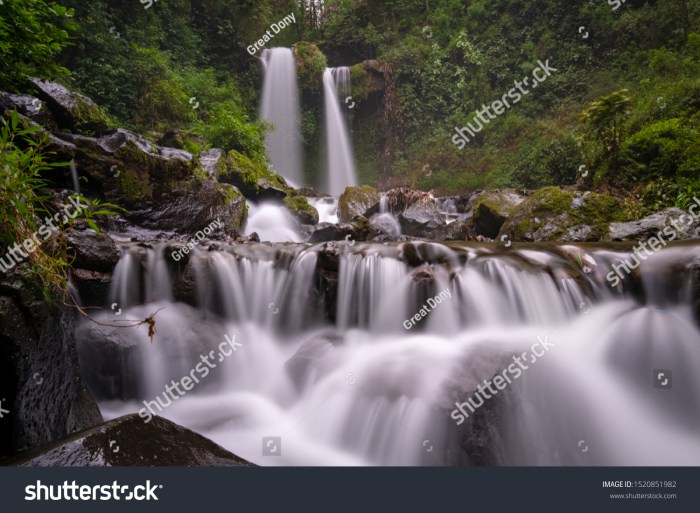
x: 40, y: 377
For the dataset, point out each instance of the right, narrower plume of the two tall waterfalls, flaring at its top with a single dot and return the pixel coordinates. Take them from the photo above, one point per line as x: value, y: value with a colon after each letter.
x: 341, y: 165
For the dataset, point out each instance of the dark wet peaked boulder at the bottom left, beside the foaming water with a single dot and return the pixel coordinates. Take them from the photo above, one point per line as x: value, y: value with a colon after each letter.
x: 130, y: 442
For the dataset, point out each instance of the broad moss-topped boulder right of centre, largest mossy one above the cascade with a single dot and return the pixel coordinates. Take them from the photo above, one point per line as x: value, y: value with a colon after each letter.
x: 554, y: 214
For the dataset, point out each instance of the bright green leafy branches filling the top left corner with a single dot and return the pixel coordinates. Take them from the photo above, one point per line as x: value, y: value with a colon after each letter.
x: 32, y: 32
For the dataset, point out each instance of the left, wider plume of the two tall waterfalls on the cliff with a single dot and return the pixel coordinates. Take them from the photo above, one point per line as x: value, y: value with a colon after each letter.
x: 280, y: 107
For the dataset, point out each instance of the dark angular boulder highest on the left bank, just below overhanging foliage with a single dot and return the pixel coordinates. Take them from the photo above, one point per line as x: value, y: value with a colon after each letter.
x: 72, y: 111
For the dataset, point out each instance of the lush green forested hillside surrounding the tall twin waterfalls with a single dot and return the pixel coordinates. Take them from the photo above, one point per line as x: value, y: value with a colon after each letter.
x: 442, y: 61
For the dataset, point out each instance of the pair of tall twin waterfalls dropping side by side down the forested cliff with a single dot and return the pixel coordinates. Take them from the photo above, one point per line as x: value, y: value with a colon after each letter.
x: 280, y: 108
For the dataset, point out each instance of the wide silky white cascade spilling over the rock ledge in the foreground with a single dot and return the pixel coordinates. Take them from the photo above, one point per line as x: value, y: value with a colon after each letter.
x: 346, y: 382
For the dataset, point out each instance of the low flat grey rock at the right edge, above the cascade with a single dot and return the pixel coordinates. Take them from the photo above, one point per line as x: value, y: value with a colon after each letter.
x: 650, y: 226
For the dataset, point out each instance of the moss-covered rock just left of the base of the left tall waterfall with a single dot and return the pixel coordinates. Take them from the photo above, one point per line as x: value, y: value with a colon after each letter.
x: 254, y: 179
